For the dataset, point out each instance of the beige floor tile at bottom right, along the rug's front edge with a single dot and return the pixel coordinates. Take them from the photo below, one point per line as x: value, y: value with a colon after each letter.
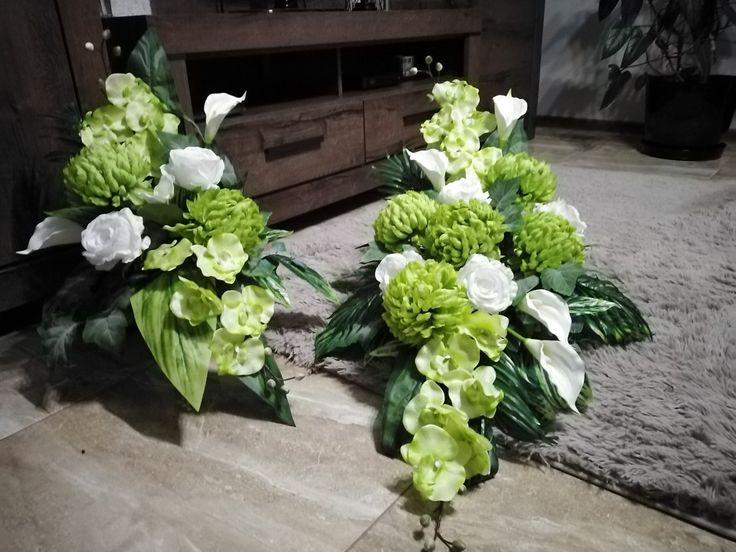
x: 530, y: 509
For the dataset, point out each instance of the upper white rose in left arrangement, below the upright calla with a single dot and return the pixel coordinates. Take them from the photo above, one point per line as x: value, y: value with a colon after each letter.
x: 195, y: 168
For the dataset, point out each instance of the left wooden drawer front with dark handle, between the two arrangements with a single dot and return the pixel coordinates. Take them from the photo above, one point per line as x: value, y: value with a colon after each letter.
x: 293, y: 146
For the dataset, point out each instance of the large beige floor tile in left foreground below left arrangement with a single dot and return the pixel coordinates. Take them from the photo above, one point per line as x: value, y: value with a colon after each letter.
x: 129, y: 471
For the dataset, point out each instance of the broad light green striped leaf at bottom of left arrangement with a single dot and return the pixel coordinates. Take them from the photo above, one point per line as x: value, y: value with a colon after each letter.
x: 181, y: 351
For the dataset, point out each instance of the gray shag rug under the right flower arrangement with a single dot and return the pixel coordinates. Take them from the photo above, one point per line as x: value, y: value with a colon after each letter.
x: 662, y: 426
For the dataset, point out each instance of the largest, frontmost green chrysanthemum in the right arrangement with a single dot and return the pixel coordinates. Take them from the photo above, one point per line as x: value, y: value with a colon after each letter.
x: 425, y: 300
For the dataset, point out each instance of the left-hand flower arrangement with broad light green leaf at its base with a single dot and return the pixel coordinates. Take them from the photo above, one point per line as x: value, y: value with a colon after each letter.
x: 169, y: 242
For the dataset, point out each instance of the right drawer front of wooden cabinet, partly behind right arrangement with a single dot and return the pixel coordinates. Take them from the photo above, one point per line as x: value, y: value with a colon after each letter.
x: 392, y: 122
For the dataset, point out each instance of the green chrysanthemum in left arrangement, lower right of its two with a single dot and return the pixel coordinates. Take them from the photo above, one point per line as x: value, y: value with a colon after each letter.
x: 219, y: 211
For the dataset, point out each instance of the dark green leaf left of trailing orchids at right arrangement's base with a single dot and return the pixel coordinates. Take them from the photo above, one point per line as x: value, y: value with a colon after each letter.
x: 402, y: 386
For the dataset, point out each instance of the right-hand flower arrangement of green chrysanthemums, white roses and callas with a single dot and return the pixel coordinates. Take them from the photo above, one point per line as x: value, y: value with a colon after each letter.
x: 477, y: 291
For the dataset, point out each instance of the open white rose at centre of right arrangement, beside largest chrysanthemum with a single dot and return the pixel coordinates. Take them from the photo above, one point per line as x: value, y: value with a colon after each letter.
x: 489, y: 284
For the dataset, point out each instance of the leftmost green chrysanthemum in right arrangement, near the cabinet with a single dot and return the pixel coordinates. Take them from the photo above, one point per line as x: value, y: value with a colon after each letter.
x: 403, y: 220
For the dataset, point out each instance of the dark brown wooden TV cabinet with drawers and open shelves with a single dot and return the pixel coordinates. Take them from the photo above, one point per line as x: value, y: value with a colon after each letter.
x: 325, y: 93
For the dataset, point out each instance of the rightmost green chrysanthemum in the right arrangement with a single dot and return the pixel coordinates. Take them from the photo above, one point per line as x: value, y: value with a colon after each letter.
x: 546, y: 241
